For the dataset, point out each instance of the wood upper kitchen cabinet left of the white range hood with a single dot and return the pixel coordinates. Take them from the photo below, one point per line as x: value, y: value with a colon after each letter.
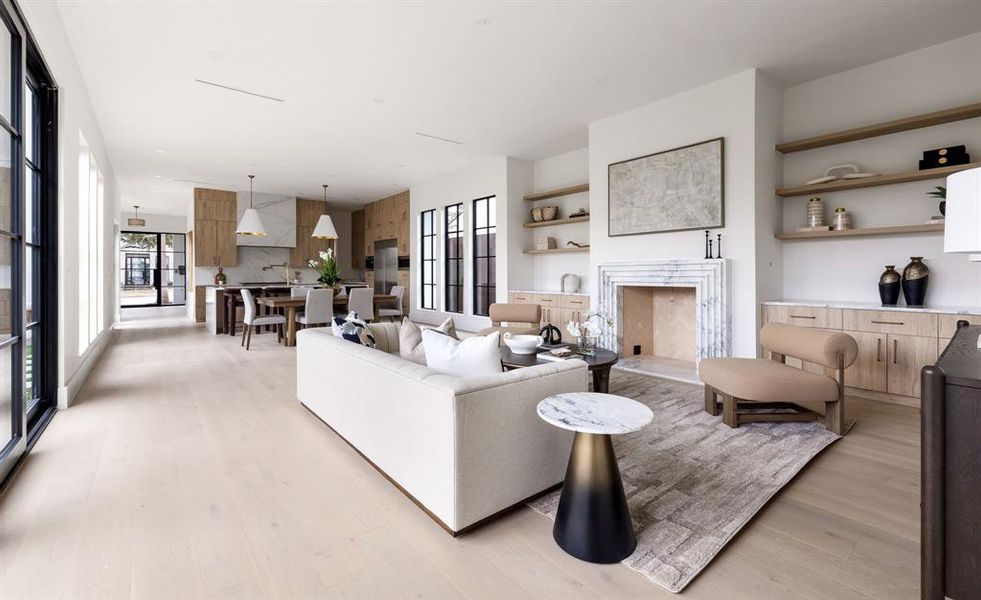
x: 215, y: 213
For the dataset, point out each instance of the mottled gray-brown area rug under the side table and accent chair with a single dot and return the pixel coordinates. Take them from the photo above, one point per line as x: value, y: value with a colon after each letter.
x: 691, y: 482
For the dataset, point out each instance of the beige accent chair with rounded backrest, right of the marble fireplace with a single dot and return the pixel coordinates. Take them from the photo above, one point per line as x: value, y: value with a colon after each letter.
x: 758, y: 389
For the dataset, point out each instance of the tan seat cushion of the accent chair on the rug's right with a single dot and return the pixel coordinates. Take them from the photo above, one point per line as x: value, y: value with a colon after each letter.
x: 763, y: 380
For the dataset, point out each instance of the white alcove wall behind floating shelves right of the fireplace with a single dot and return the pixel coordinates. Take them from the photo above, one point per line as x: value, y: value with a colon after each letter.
x: 934, y: 78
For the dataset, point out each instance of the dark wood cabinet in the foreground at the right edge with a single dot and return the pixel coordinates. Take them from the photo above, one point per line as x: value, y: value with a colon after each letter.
x: 950, y: 518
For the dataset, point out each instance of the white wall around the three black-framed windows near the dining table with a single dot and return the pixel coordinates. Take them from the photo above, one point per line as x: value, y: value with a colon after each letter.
x: 507, y: 178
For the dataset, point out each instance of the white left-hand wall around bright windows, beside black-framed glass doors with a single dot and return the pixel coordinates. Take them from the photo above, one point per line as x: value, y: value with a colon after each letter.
x: 74, y: 115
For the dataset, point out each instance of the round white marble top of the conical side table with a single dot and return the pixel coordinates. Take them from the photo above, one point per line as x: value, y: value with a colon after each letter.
x: 586, y: 412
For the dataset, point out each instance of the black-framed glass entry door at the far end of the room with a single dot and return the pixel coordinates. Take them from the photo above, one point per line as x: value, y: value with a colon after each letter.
x: 154, y: 269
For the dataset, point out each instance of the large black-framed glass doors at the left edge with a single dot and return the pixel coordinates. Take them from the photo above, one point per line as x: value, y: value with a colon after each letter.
x: 28, y: 240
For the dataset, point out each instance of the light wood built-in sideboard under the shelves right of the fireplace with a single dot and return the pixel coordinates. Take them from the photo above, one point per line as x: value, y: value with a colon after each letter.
x: 894, y: 343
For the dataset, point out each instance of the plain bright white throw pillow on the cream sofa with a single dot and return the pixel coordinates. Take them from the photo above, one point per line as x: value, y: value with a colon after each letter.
x: 472, y: 357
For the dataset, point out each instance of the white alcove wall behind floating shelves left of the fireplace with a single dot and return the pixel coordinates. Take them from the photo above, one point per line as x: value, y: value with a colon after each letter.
x: 564, y: 170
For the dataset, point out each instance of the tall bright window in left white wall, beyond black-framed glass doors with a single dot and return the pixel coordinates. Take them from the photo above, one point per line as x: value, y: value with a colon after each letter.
x: 91, y: 238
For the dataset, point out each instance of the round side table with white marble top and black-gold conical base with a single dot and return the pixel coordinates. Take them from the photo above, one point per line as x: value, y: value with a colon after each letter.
x: 593, y: 521
